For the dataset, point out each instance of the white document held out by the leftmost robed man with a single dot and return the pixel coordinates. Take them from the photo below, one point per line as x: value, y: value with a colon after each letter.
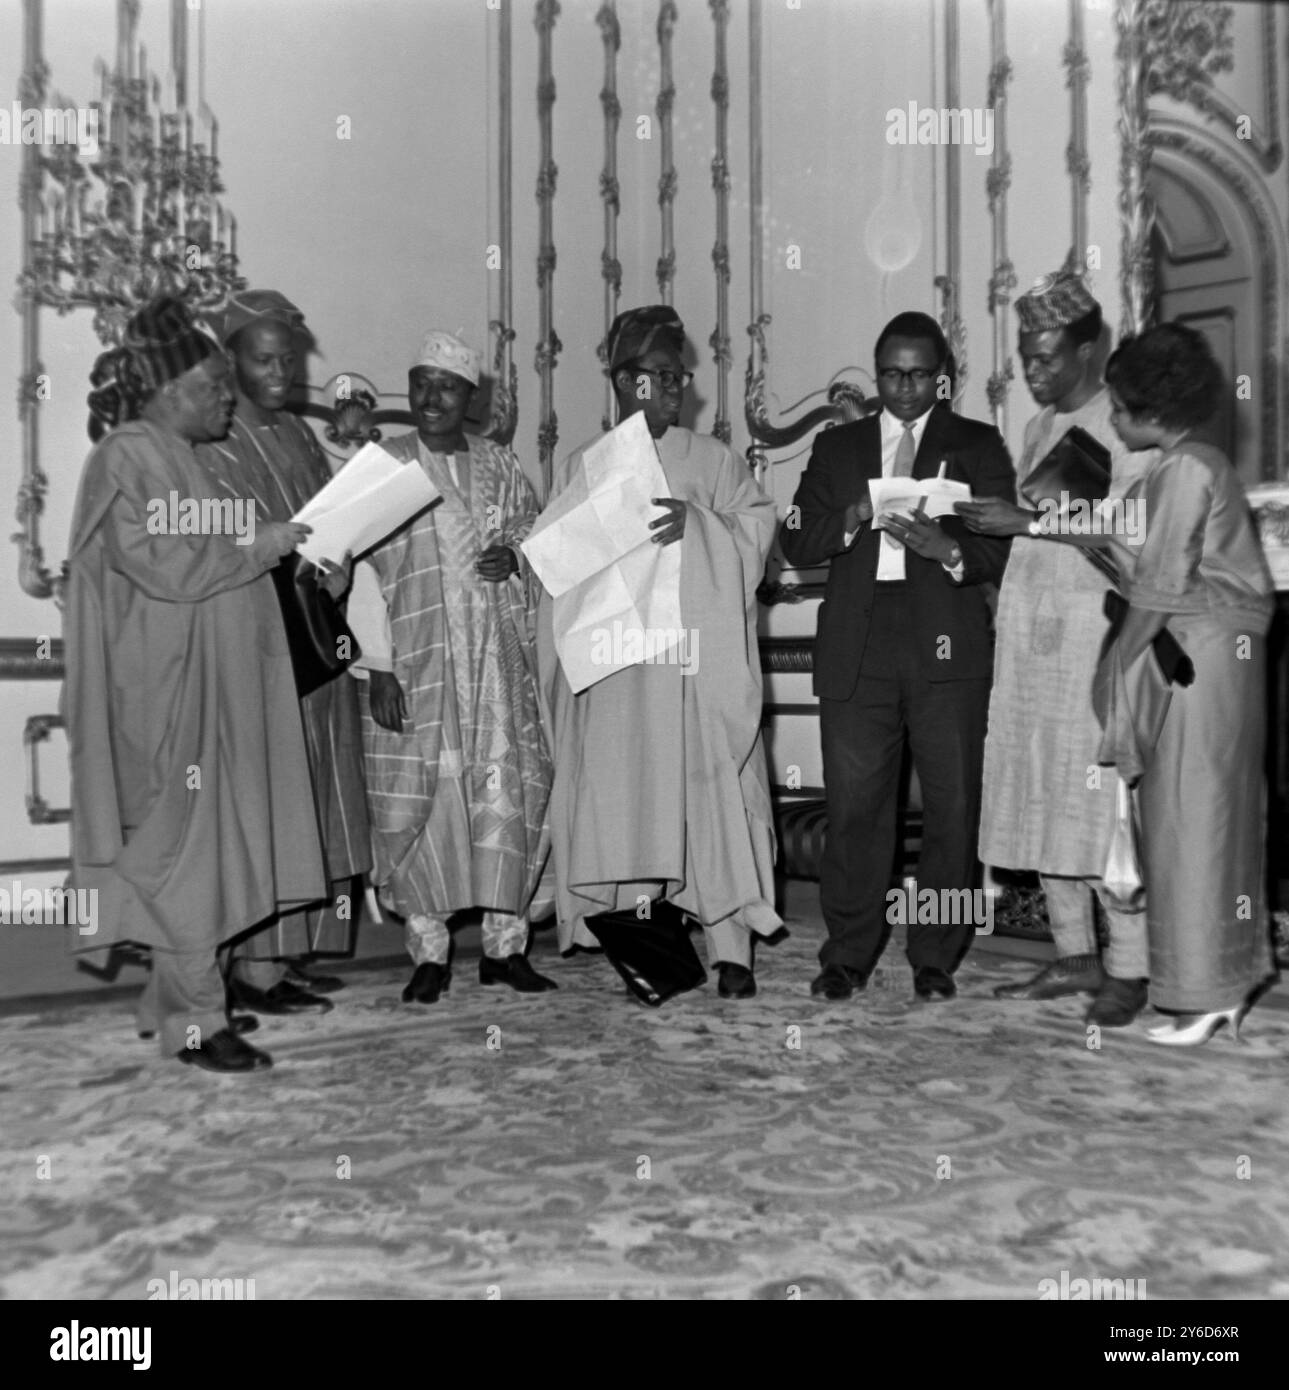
x: 371, y: 497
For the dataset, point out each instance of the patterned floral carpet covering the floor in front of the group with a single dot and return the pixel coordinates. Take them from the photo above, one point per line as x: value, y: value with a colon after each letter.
x: 600, y: 1150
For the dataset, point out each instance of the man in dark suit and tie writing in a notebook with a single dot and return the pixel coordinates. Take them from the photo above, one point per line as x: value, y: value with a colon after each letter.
x: 903, y: 650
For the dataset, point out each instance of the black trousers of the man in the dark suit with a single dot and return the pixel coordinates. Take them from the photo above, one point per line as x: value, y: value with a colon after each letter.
x: 863, y: 742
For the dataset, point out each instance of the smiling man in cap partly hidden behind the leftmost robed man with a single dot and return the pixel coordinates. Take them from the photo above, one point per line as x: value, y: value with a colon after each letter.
x: 272, y: 457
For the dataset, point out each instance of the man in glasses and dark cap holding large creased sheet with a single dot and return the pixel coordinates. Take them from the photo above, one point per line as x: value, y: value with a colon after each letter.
x: 661, y: 806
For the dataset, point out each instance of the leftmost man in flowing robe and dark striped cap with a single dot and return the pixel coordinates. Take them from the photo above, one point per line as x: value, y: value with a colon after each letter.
x: 191, y: 811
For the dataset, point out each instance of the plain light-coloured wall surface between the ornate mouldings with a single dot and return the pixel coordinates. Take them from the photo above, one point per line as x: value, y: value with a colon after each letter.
x: 383, y: 236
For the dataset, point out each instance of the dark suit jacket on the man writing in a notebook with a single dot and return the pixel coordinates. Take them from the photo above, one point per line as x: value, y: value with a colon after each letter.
x: 950, y: 621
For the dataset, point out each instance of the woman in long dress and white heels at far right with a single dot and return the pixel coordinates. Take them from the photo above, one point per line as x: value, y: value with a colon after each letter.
x: 1201, y: 573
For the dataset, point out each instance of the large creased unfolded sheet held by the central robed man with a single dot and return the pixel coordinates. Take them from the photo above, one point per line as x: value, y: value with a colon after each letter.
x: 617, y: 593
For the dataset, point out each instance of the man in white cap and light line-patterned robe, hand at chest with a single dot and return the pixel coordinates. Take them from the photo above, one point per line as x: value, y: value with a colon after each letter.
x: 458, y: 772
